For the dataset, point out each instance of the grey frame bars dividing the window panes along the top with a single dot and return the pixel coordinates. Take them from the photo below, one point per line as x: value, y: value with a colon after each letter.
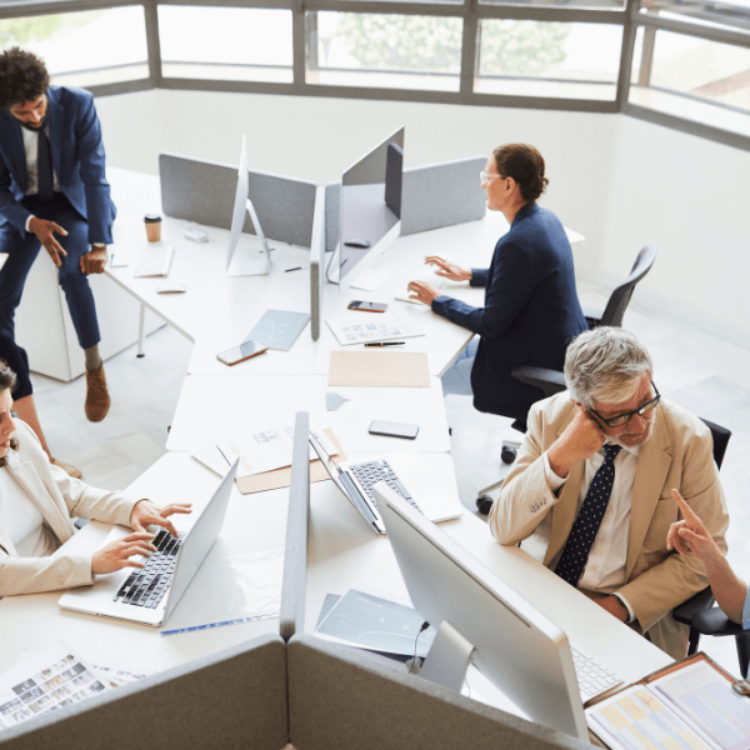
x: 630, y: 18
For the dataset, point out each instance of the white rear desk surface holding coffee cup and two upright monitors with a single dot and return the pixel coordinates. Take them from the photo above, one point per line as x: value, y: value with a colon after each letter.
x: 217, y: 311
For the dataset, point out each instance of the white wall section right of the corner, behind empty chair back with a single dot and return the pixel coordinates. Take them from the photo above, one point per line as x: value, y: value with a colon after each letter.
x: 689, y: 197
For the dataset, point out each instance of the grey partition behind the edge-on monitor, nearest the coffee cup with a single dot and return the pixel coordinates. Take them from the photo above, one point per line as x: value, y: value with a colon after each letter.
x: 203, y: 191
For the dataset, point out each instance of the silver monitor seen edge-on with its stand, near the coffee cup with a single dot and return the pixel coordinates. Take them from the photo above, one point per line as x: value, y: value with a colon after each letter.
x: 246, y: 257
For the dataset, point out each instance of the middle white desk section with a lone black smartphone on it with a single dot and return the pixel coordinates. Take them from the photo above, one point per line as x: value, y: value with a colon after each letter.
x: 214, y: 407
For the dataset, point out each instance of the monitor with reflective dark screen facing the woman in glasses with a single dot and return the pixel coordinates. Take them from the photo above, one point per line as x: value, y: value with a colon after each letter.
x: 370, y: 205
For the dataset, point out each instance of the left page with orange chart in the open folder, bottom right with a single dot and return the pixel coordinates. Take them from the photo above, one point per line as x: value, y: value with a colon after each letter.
x: 636, y: 719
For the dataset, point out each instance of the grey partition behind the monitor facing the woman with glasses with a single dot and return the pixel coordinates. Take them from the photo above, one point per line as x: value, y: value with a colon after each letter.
x: 438, y: 195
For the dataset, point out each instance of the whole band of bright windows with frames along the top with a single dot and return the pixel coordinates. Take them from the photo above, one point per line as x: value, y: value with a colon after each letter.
x: 682, y: 63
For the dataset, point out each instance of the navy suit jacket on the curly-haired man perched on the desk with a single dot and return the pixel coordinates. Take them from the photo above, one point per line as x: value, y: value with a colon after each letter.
x: 77, y: 158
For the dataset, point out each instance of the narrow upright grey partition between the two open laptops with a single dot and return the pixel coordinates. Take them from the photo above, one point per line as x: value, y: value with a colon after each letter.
x: 294, y: 582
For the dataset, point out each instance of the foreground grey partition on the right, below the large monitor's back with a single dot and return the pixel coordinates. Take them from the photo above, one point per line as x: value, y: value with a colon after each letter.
x: 343, y: 697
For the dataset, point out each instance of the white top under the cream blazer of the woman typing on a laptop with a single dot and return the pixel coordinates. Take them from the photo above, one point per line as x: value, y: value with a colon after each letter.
x: 23, y: 521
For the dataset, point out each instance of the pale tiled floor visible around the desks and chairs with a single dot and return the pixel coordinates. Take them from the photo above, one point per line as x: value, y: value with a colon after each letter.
x: 702, y: 372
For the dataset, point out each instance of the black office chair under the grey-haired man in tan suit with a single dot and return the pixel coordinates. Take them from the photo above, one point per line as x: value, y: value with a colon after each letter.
x: 698, y: 612
